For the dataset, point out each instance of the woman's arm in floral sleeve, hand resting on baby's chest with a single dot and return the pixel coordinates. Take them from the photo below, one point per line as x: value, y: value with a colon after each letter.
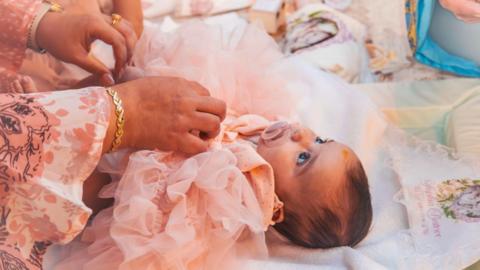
x: 50, y: 143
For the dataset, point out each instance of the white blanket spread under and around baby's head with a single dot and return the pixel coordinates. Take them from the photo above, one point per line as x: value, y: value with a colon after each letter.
x: 337, y: 111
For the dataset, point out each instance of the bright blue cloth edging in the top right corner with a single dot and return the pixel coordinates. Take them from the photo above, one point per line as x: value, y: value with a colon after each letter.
x: 427, y: 51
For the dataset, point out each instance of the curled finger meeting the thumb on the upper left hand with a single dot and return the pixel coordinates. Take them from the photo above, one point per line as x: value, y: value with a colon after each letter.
x: 109, y: 35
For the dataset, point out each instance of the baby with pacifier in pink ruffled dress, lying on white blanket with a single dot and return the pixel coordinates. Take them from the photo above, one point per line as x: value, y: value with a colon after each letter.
x: 173, y: 211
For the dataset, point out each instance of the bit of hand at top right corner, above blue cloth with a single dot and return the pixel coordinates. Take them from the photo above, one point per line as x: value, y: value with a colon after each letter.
x: 465, y: 10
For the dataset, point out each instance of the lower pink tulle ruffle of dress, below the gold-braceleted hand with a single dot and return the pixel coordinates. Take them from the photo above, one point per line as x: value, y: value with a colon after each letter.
x: 172, y: 213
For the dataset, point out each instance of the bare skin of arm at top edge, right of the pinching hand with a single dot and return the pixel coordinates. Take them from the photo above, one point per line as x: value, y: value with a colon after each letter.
x: 132, y: 11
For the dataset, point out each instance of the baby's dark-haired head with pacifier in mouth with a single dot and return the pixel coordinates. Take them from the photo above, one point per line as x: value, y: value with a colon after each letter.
x: 322, y: 184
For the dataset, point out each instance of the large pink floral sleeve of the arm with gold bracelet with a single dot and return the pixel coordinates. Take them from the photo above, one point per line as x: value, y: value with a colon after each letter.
x: 49, y: 144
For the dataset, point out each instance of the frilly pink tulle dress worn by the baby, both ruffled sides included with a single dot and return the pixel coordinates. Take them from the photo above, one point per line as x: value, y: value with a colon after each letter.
x: 210, y: 210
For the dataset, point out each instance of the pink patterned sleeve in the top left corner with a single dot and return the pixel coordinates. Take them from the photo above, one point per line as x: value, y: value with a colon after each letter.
x: 15, y: 19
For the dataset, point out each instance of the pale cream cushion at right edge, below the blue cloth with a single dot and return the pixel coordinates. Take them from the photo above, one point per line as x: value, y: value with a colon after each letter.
x: 446, y: 111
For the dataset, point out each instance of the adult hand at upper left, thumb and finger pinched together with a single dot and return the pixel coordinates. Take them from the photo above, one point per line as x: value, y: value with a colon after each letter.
x: 68, y: 36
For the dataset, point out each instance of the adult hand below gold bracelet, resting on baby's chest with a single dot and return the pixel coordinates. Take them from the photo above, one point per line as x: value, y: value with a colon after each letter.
x: 166, y: 113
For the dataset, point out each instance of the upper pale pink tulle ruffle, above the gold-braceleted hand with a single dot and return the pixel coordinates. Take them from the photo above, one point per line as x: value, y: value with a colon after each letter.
x: 238, y: 68
